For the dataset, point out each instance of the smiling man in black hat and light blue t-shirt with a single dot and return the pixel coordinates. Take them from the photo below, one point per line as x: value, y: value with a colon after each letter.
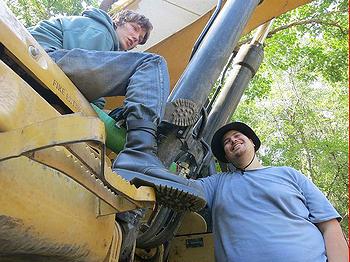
x: 267, y: 214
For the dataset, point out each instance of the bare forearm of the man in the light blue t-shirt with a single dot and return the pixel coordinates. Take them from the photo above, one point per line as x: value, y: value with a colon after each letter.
x: 336, y: 246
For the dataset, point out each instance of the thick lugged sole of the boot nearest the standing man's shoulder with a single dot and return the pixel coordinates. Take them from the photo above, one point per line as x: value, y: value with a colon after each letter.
x: 170, y: 194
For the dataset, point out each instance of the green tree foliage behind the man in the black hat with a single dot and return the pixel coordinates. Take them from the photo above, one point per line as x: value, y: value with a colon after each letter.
x: 298, y: 101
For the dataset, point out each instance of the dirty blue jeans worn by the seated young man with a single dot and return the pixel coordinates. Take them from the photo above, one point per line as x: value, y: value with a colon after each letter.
x: 142, y: 78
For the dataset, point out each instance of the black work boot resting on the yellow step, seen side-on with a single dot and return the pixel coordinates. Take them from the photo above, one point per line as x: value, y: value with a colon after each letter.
x: 139, y: 164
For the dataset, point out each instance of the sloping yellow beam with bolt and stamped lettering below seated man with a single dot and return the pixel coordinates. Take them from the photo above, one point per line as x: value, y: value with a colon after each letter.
x: 22, y: 47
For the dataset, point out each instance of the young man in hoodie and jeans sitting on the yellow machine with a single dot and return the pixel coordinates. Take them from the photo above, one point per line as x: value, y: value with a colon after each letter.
x: 90, y: 49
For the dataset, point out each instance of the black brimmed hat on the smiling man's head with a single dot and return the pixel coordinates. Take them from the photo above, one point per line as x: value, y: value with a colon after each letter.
x: 216, y: 143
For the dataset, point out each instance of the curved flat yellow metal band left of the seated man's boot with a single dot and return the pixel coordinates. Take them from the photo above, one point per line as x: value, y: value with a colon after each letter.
x: 51, y: 132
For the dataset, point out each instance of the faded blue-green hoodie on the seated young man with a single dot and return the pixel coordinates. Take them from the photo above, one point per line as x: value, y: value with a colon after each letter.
x: 93, y: 30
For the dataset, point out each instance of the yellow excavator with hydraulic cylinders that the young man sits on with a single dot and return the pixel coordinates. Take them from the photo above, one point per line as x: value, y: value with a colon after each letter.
x: 59, y: 197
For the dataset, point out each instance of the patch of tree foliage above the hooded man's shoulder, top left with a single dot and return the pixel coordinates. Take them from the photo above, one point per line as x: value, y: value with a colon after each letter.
x: 30, y: 12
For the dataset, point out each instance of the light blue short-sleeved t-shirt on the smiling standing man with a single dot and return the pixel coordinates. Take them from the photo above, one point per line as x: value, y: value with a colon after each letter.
x: 267, y: 215
